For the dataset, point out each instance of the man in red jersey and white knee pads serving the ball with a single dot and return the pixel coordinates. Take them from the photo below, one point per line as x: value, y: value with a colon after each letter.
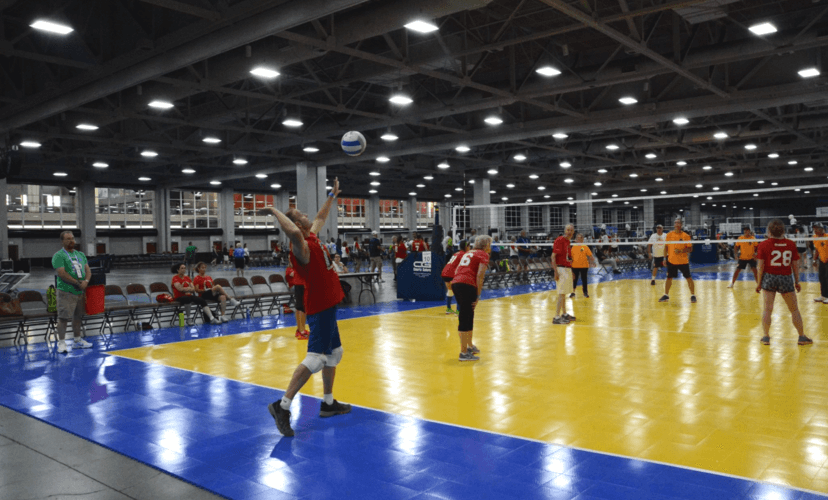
x: 313, y: 264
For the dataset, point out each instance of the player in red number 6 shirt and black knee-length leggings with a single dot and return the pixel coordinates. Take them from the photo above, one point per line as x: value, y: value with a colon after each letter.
x: 467, y: 286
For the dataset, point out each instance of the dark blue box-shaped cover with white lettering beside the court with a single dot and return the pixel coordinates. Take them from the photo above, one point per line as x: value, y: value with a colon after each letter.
x: 418, y: 277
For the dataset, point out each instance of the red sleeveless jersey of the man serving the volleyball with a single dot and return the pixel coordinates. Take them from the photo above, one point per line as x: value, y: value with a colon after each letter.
x: 322, y: 288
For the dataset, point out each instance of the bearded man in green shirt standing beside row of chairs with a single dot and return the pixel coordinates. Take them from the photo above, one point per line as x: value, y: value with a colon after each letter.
x: 73, y: 278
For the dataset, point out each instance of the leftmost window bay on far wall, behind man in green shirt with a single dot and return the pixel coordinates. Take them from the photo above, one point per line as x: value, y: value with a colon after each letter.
x: 40, y: 207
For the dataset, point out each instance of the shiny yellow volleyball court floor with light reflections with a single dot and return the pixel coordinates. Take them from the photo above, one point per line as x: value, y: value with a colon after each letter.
x: 681, y: 383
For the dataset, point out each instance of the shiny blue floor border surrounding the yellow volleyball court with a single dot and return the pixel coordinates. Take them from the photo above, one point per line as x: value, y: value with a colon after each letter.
x: 217, y: 433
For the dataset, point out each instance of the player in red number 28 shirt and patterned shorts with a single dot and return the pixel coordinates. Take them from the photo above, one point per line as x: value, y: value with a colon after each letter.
x: 776, y: 261
